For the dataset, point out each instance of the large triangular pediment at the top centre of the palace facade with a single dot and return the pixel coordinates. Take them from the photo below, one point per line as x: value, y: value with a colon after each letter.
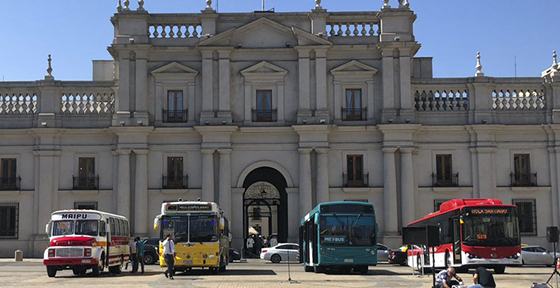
x: 264, y: 33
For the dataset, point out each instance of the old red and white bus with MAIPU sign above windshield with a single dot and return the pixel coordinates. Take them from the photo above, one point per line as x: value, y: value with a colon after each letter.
x: 86, y: 239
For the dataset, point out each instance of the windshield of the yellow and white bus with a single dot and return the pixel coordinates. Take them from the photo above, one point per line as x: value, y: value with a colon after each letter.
x: 203, y: 228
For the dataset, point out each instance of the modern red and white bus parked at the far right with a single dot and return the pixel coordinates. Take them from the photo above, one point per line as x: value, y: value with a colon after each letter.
x: 473, y: 233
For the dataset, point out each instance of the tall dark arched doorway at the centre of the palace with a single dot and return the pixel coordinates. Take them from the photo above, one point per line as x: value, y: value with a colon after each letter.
x: 265, y: 206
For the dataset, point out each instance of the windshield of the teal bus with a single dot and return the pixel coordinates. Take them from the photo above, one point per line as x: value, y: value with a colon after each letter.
x: 355, y: 230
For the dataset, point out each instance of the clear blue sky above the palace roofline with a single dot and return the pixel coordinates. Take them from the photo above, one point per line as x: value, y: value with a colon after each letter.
x: 452, y: 31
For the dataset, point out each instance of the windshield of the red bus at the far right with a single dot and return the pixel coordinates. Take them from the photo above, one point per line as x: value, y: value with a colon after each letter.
x: 490, y: 226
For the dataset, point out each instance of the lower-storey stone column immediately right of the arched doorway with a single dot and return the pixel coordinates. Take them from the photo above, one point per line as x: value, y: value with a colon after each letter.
x: 305, y: 197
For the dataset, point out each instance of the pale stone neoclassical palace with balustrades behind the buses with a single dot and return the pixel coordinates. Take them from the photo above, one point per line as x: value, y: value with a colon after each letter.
x: 269, y: 114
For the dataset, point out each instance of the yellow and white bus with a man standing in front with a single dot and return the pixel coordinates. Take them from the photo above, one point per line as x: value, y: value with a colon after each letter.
x: 200, y: 232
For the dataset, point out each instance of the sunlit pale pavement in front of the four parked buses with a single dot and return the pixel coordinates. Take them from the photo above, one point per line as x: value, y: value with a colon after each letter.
x: 253, y: 273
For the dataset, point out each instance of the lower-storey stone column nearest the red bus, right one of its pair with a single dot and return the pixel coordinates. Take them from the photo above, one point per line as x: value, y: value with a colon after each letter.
x: 407, y: 186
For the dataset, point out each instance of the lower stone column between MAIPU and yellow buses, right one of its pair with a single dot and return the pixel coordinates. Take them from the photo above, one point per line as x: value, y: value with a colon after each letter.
x: 141, y: 193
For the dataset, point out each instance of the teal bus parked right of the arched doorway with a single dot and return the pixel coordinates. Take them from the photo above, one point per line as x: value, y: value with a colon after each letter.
x: 339, y: 235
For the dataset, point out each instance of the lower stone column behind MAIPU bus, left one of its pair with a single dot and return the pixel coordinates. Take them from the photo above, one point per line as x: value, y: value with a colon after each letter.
x: 123, y: 188
